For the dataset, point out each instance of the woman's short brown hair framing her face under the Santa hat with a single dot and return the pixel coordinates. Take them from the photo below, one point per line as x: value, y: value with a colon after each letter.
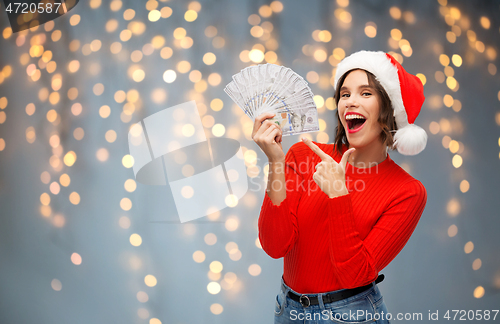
x: 386, y: 118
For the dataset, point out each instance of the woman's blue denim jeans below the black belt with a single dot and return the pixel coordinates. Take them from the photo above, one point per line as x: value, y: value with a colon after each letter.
x: 366, y: 307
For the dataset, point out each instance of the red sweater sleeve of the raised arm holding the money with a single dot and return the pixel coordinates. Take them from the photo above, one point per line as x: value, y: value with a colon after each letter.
x: 278, y: 229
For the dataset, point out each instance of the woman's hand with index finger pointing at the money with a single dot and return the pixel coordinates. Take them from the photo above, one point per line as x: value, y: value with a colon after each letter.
x: 330, y: 175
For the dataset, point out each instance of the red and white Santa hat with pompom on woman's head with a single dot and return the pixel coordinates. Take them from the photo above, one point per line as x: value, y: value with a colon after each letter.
x: 404, y: 89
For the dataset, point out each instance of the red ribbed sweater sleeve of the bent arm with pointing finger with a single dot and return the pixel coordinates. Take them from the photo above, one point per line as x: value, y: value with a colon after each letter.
x: 357, y: 262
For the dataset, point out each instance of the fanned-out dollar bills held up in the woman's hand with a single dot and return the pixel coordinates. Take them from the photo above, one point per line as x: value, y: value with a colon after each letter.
x: 269, y: 87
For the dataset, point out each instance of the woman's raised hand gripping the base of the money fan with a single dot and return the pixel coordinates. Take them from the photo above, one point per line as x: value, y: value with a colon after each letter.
x: 268, y: 136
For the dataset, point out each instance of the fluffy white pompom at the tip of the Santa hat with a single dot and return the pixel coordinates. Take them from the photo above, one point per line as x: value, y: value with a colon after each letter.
x: 410, y: 140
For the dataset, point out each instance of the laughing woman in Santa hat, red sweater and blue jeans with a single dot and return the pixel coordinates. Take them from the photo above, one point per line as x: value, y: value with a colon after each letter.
x: 339, y: 213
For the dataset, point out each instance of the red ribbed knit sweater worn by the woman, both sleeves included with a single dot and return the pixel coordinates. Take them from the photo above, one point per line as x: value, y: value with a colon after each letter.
x: 342, y: 242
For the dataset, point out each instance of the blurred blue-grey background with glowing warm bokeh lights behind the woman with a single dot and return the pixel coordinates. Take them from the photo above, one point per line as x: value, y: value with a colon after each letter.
x: 82, y: 242
